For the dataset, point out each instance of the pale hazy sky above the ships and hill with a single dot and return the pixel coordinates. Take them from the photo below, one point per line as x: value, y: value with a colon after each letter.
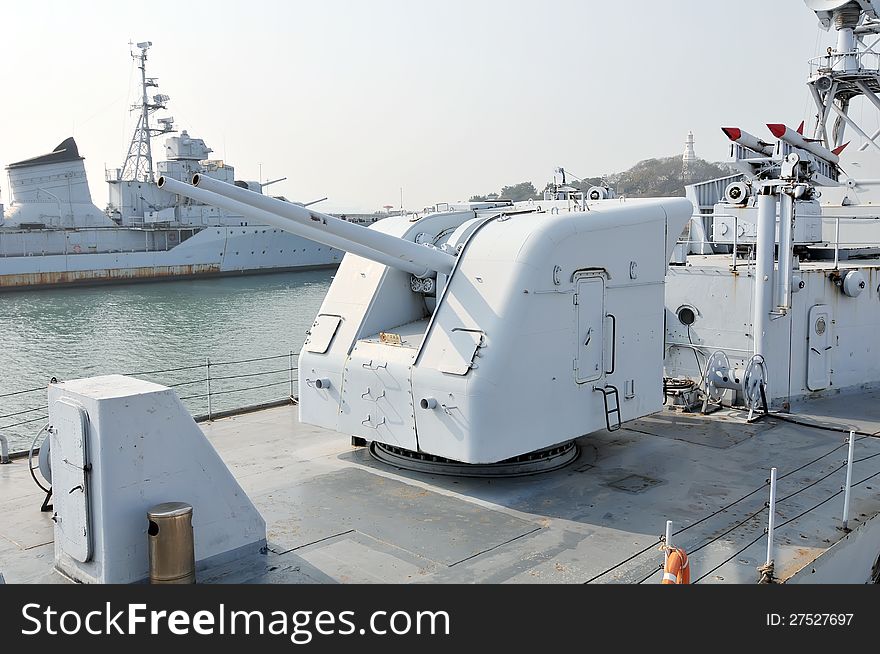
x: 446, y: 99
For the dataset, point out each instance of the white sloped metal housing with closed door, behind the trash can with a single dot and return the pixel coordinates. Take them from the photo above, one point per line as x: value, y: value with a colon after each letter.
x: 143, y: 449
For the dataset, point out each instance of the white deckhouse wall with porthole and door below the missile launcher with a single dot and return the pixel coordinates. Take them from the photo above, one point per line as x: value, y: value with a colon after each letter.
x: 723, y: 303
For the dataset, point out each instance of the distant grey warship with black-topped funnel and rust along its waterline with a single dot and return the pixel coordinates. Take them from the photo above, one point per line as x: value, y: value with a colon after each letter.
x: 52, y: 234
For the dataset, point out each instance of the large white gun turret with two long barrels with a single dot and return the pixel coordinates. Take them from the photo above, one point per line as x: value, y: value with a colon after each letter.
x: 485, y: 331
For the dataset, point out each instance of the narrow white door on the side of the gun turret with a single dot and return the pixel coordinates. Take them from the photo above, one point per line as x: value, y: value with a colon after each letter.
x: 590, y: 301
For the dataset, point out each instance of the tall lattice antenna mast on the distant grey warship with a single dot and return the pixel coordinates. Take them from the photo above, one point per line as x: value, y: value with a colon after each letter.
x: 138, y: 164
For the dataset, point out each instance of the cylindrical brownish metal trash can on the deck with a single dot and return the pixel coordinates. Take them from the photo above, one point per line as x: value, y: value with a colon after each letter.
x: 172, y: 552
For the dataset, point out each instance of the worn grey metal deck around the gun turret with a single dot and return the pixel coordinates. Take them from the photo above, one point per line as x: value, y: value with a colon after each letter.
x: 334, y: 514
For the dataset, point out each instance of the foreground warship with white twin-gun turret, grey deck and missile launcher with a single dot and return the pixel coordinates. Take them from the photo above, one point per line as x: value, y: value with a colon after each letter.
x: 544, y: 397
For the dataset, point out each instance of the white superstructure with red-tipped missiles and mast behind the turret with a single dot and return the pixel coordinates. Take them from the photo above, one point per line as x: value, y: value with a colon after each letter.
x: 780, y: 294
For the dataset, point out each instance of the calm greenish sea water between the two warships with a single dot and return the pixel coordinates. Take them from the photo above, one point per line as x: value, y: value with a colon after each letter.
x: 141, y: 328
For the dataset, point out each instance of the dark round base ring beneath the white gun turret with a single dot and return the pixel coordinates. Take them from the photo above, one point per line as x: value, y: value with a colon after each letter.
x: 533, y: 463
